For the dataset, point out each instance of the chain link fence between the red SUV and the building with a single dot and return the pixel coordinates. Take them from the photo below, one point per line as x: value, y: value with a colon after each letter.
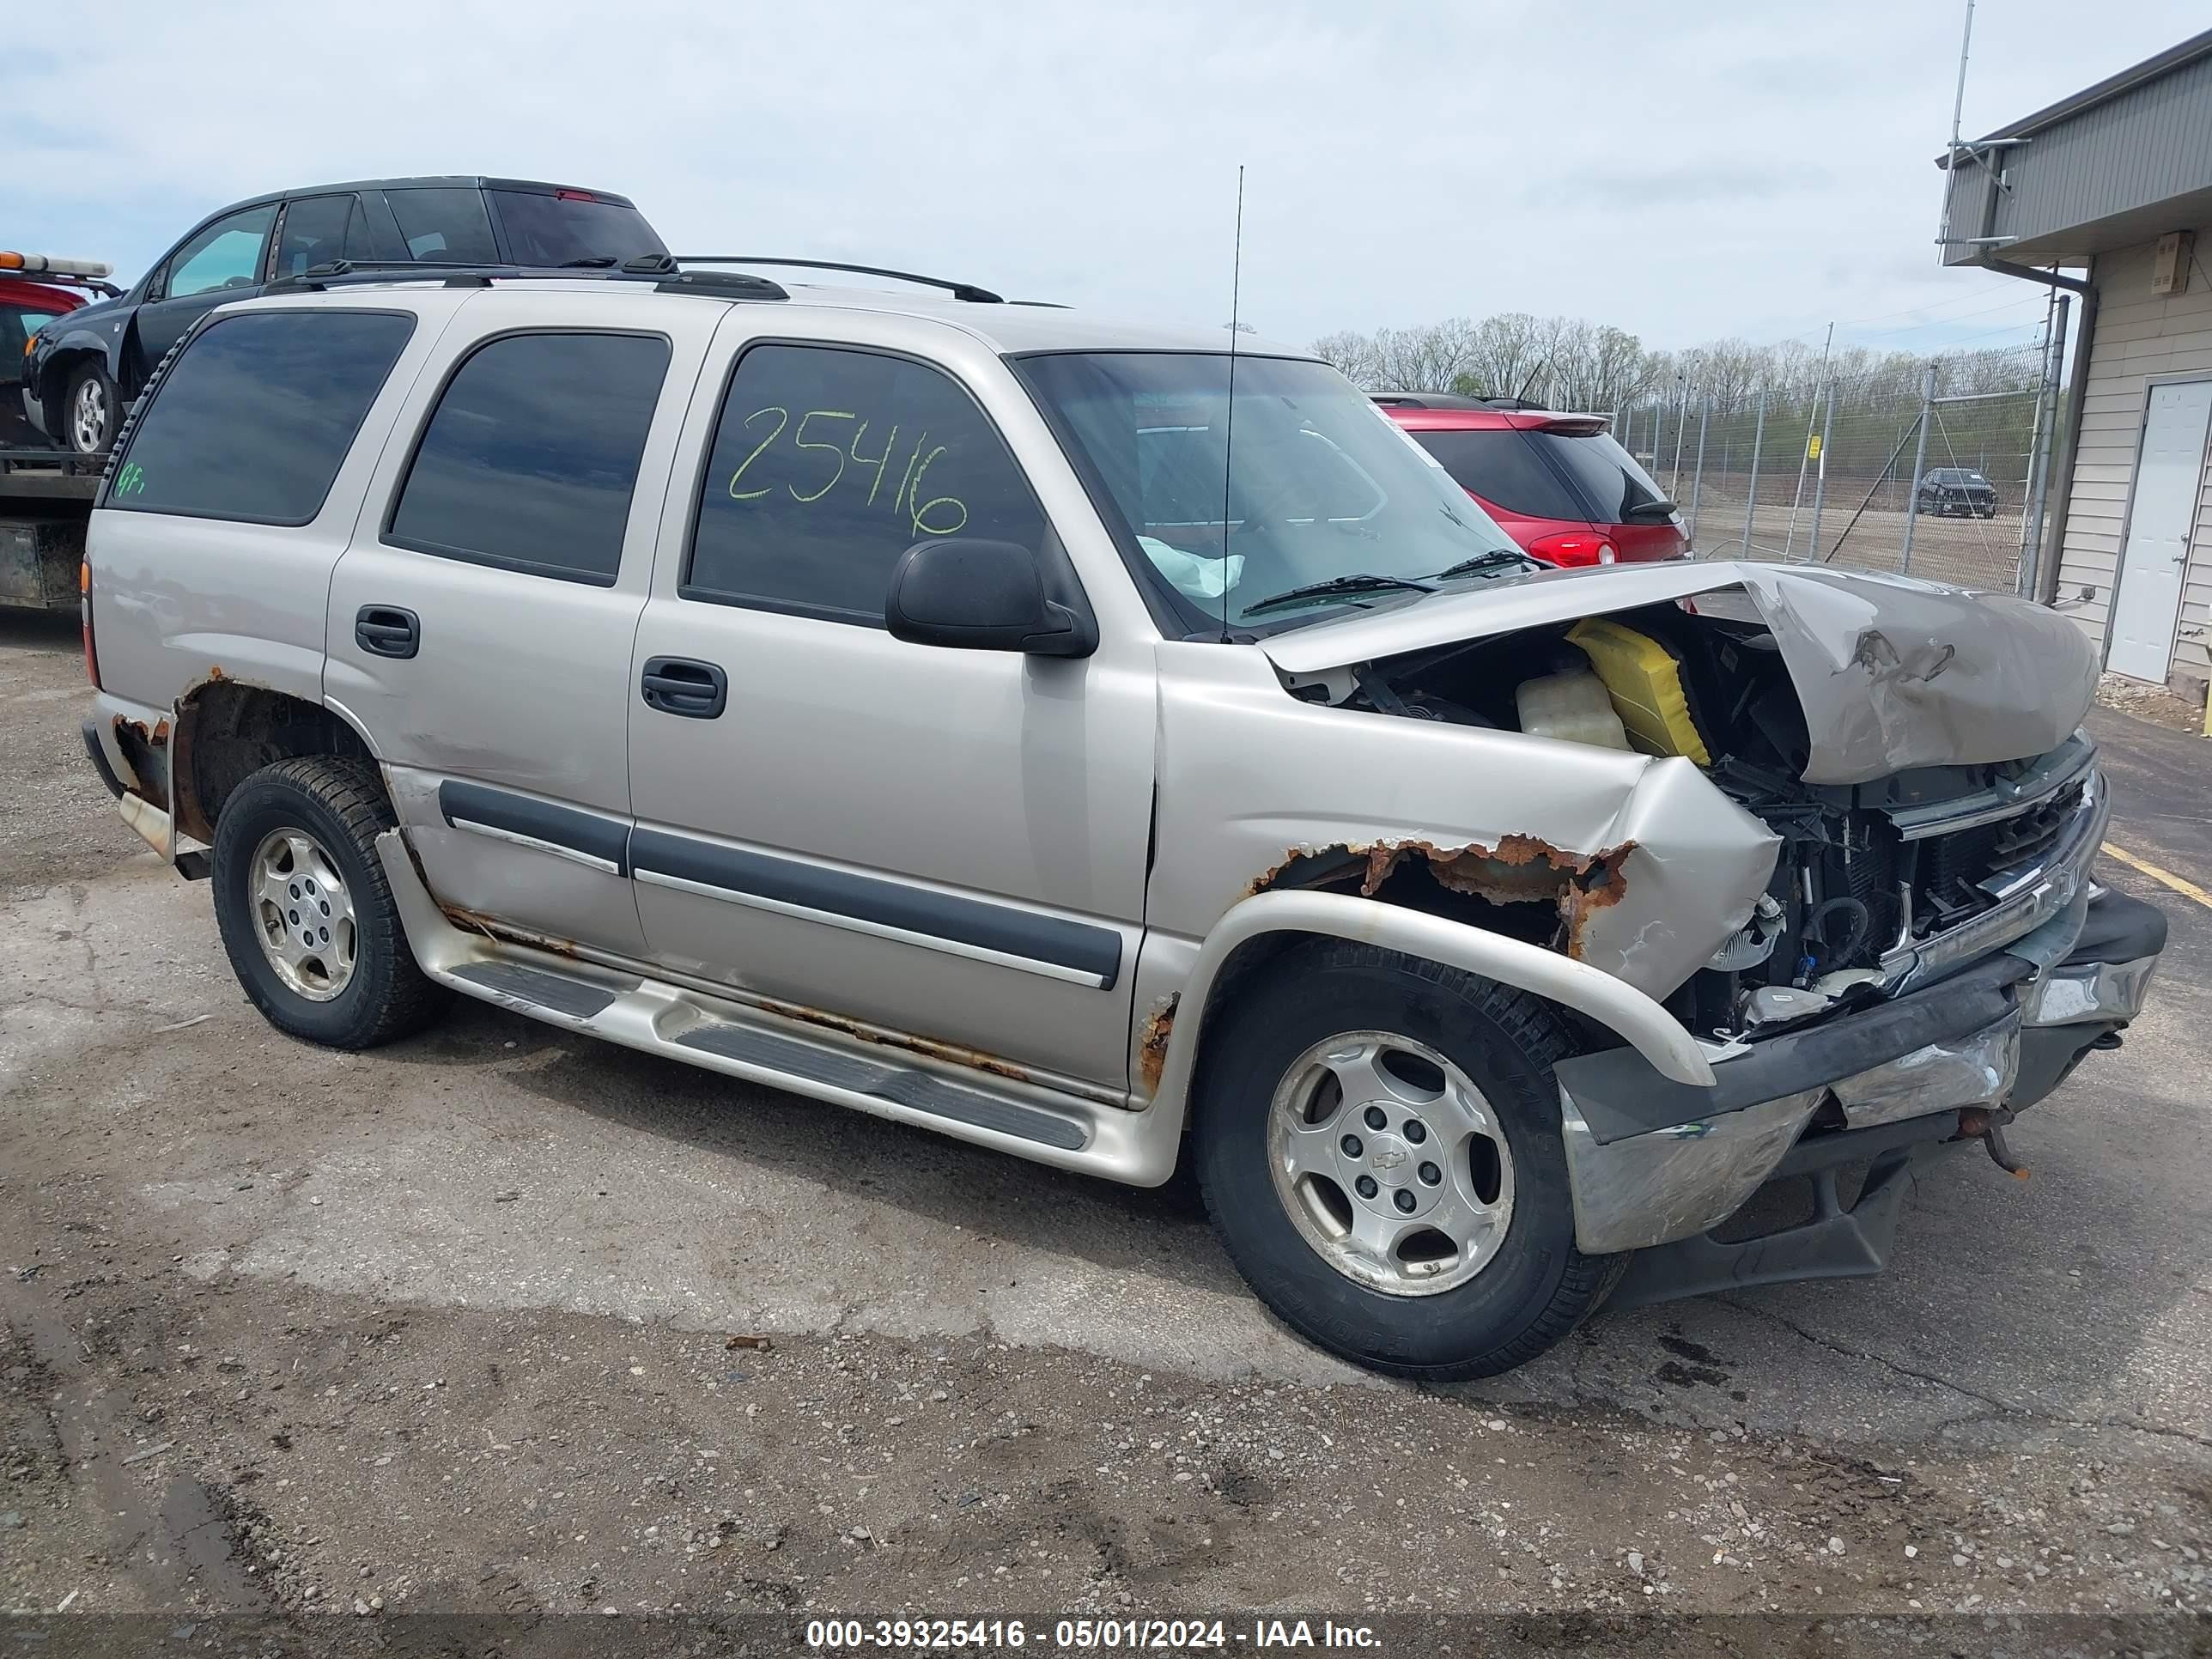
x: 1934, y: 474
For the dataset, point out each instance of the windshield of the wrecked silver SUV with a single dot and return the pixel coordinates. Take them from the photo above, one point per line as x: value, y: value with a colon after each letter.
x: 1322, y: 483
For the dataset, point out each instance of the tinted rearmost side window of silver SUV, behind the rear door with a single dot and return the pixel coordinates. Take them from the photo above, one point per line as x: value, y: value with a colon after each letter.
x: 258, y: 415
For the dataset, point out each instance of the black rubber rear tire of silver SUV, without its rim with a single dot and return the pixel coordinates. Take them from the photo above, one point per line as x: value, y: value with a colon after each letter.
x: 260, y: 806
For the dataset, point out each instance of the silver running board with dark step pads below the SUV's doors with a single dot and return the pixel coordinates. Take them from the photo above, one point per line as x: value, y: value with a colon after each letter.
x: 735, y: 1039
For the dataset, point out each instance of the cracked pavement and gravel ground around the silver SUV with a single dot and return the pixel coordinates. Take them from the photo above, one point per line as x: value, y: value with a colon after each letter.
x: 510, y: 1324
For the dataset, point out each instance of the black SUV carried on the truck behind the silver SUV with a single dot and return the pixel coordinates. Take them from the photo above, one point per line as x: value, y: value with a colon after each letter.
x: 87, y: 366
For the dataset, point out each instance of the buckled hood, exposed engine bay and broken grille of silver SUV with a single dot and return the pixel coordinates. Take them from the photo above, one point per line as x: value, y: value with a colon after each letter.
x: 1910, y: 751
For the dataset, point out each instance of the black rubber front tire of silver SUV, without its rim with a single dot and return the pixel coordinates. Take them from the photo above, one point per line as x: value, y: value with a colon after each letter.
x: 1454, y: 1333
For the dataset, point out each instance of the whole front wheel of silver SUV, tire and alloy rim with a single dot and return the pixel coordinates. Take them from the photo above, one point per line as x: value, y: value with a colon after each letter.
x: 1379, y: 1149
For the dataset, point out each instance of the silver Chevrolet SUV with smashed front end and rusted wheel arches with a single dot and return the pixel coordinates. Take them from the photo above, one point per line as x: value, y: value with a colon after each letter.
x: 1103, y: 749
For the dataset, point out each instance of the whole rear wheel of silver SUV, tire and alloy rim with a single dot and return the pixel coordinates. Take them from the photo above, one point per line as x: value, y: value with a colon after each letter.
x: 306, y: 912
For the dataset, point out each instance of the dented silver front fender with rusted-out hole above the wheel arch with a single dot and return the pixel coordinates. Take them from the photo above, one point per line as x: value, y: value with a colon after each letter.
x: 1642, y: 868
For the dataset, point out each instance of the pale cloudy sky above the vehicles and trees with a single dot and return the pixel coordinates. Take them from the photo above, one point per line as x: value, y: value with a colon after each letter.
x: 1684, y: 169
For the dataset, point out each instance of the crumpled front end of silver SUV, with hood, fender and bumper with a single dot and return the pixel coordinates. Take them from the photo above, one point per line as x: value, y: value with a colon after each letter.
x: 1846, y: 842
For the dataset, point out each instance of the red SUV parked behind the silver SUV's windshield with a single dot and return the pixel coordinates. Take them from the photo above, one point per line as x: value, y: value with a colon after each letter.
x: 1556, y: 483
